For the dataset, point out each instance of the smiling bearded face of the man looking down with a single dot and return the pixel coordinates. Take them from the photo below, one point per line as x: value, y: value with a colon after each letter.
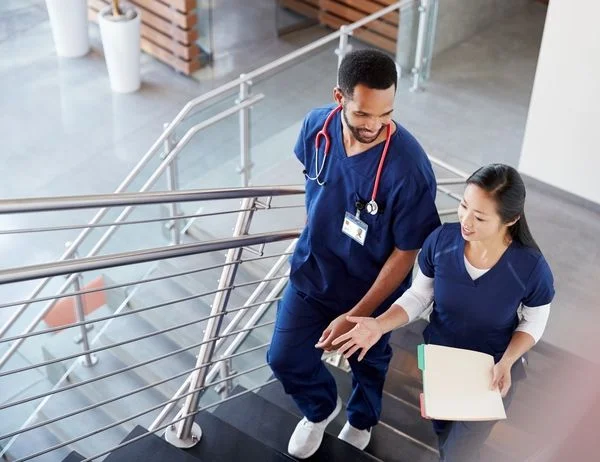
x: 367, y: 112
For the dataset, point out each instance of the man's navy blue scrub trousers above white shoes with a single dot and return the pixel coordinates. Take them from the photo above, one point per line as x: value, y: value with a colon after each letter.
x: 297, y: 363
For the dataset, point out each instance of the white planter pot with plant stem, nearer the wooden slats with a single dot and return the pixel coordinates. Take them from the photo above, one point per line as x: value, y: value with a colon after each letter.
x: 121, y: 43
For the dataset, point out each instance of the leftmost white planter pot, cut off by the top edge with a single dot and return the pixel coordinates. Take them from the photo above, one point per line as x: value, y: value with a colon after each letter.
x: 69, y: 23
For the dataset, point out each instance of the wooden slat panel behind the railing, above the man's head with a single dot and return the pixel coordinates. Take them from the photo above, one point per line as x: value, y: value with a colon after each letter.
x: 382, y: 33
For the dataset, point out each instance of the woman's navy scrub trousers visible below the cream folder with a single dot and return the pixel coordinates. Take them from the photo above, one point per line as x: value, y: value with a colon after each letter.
x: 461, y: 441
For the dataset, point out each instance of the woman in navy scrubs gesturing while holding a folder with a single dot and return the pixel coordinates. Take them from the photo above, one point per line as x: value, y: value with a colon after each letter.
x: 479, y: 273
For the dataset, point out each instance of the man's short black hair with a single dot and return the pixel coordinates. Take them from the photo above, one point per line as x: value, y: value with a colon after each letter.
x: 371, y: 68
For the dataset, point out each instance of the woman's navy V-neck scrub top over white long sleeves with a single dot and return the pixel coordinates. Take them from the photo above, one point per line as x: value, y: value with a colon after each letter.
x: 480, y: 314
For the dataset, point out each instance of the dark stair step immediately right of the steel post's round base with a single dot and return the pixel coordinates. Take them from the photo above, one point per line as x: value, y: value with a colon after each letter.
x: 239, y: 445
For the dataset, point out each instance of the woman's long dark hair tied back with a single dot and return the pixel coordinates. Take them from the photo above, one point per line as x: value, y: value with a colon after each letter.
x: 506, y: 187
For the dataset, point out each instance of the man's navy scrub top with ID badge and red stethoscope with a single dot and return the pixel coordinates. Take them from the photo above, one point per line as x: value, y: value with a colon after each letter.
x: 327, y: 264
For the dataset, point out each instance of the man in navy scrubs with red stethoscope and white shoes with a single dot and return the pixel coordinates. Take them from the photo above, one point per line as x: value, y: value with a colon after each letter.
x: 370, y: 201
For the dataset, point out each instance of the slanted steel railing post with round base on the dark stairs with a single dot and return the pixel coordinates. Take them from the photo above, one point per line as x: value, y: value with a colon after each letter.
x: 187, y: 433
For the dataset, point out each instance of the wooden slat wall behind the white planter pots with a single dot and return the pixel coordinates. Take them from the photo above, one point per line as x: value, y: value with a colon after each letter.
x: 168, y: 30
